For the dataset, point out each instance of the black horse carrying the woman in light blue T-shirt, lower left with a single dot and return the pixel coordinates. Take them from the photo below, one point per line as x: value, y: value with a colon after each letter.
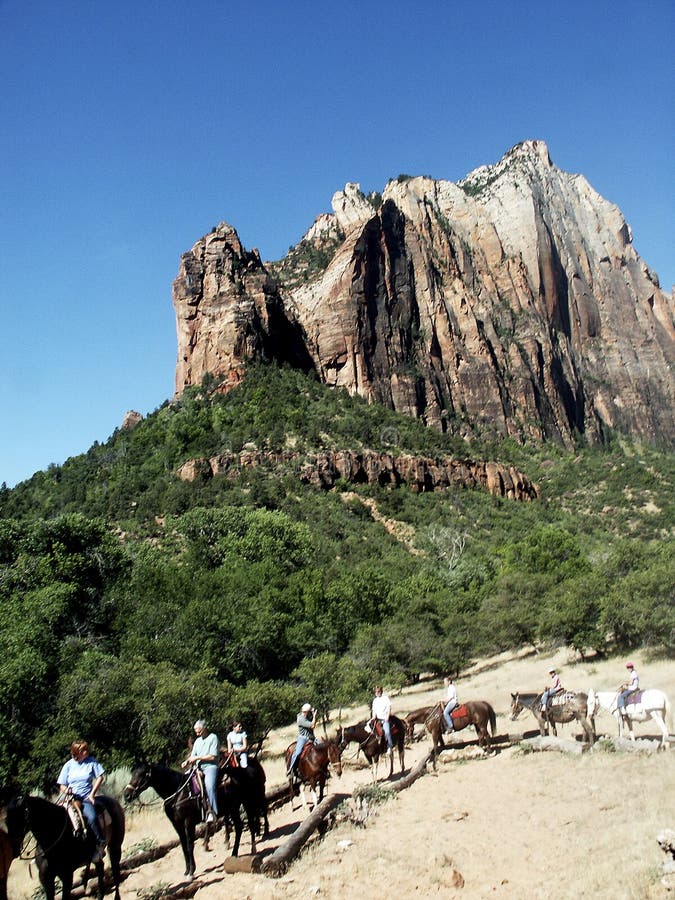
x: 59, y: 851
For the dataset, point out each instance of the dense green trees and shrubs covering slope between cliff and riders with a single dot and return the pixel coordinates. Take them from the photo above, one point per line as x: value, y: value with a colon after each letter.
x: 131, y: 601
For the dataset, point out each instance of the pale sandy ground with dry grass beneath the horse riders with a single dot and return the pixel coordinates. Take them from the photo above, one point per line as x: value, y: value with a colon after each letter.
x: 514, y: 825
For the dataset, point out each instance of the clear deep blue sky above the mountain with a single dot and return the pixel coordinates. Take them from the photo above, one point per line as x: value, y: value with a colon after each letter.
x: 129, y: 129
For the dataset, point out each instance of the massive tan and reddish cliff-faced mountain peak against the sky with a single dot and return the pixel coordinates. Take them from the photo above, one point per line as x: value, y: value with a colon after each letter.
x: 513, y: 303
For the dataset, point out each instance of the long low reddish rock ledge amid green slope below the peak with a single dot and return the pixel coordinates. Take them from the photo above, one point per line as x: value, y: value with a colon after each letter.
x: 323, y: 470
